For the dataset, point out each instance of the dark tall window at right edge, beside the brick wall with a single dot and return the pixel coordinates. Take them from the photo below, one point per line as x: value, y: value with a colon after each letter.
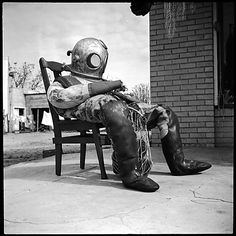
x: 226, y: 55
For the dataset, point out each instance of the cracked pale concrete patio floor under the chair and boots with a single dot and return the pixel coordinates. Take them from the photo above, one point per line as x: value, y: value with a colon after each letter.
x: 36, y: 201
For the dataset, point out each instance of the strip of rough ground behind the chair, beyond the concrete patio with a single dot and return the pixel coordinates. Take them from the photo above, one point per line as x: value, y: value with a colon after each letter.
x: 20, y: 147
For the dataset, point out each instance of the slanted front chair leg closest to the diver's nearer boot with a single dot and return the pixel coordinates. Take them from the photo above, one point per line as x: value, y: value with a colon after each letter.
x: 97, y: 140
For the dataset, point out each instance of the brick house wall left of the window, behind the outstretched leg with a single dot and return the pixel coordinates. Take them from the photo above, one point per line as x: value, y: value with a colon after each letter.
x: 181, y: 70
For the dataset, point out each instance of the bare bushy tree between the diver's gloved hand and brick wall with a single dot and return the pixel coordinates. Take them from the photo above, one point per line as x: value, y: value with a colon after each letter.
x: 142, y: 92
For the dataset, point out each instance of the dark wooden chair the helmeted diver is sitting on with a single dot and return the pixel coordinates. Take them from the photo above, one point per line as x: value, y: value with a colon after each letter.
x: 72, y: 125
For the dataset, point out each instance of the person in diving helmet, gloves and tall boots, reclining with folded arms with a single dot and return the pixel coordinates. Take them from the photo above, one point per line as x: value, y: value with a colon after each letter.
x: 85, y: 95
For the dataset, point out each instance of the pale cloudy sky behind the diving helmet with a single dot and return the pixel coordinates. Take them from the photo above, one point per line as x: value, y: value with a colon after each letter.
x: 49, y: 30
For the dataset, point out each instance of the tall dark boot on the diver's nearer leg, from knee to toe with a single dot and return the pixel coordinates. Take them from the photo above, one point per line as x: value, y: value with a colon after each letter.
x: 120, y: 130
